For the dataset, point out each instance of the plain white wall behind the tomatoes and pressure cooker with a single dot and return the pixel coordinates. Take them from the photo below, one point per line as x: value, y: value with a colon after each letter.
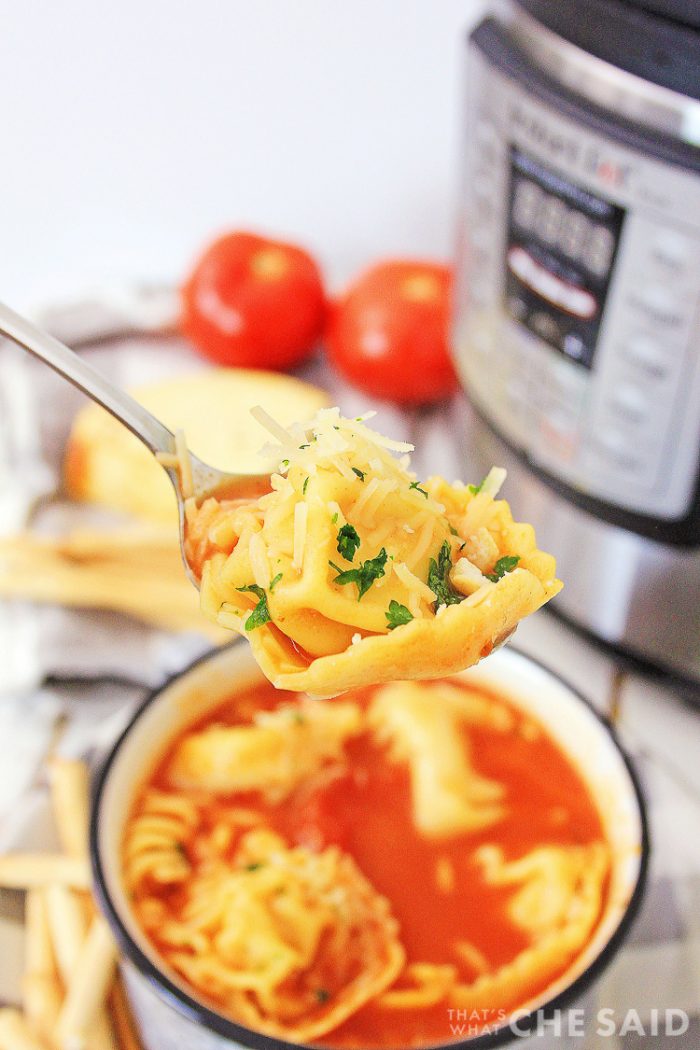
x: 134, y: 132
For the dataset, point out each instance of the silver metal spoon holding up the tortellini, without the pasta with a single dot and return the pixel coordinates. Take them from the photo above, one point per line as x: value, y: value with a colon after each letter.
x: 206, y: 480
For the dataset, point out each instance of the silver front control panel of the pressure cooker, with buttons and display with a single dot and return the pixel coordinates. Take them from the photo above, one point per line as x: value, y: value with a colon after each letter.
x: 578, y: 327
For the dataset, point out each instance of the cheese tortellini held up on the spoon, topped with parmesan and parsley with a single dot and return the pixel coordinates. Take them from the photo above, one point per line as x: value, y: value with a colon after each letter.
x: 351, y: 572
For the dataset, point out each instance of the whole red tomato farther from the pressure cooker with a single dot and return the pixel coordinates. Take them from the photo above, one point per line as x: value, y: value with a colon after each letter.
x: 253, y: 303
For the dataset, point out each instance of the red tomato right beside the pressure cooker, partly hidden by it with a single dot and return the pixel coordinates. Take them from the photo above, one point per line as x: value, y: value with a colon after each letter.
x: 389, y: 333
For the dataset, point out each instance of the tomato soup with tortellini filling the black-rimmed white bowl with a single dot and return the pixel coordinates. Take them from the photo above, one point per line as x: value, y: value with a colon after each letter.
x: 351, y: 874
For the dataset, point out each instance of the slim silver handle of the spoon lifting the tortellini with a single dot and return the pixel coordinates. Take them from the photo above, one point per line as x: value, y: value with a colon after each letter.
x: 88, y: 380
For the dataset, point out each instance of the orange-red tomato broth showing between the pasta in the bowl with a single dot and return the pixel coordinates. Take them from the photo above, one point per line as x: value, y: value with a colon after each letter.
x: 436, y: 888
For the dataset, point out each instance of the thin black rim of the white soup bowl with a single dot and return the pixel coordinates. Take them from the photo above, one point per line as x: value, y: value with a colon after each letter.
x: 199, y: 1014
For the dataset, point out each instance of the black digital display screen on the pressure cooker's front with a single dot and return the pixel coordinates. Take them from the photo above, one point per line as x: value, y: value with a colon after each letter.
x: 562, y: 247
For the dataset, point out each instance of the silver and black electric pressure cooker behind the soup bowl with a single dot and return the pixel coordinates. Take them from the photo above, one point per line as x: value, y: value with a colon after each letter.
x: 578, y: 303
